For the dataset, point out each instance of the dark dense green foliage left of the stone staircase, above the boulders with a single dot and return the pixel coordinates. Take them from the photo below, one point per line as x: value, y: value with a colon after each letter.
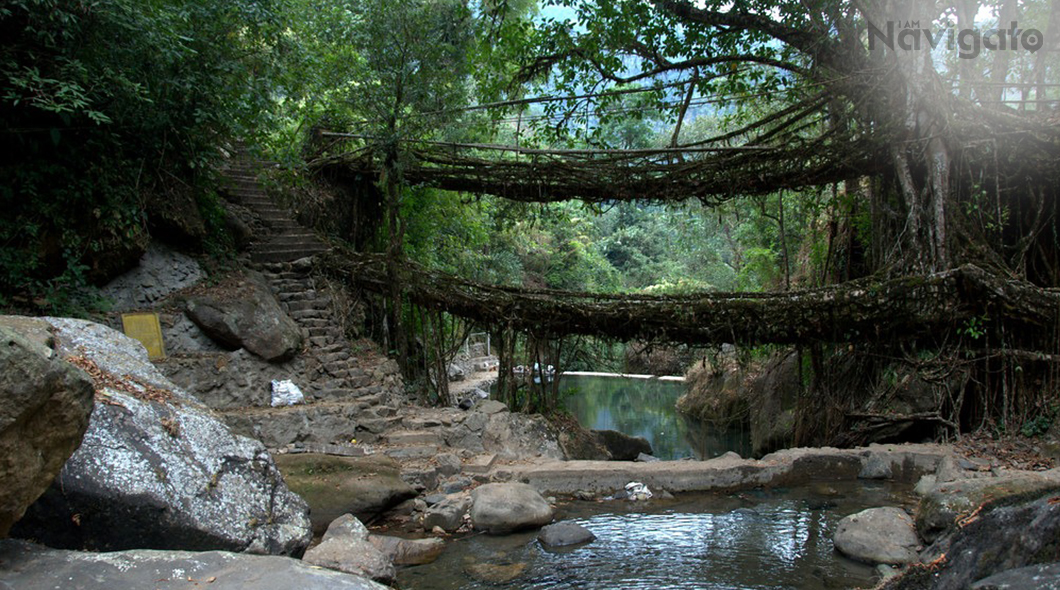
x: 108, y: 103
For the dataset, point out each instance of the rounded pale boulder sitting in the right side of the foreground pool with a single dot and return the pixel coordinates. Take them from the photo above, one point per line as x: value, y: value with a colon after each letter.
x: 878, y: 537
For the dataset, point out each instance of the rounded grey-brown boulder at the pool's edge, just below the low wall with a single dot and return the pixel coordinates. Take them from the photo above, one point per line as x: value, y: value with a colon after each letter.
x: 504, y: 508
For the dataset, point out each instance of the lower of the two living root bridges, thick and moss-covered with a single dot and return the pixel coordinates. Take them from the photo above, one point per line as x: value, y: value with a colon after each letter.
x: 867, y: 310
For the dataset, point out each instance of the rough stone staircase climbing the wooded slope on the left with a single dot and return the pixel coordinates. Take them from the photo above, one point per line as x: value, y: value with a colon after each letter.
x: 348, y: 397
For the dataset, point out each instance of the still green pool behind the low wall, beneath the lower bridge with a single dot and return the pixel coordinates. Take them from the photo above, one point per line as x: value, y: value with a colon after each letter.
x: 646, y: 408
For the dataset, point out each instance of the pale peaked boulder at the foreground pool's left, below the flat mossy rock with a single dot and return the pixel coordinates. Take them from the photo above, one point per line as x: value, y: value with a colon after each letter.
x: 346, y: 548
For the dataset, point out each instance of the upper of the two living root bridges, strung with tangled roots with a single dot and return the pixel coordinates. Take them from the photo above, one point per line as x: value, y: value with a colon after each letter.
x: 597, y: 176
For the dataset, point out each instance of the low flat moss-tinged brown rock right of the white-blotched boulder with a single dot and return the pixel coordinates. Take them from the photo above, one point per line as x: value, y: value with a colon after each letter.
x: 365, y: 487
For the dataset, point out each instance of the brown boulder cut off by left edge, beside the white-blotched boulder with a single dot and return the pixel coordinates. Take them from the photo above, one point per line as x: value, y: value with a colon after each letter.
x: 45, y: 406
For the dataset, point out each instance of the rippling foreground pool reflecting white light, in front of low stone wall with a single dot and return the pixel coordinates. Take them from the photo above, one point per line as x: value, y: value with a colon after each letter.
x: 757, y: 540
